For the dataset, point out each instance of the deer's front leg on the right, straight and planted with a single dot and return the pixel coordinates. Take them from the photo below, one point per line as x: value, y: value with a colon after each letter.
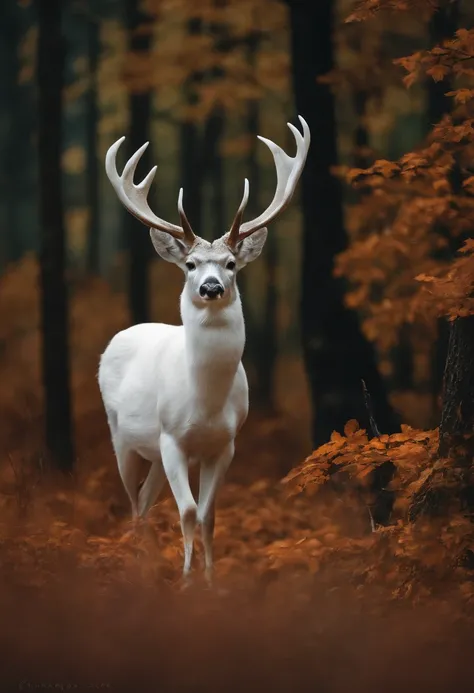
x: 211, y: 476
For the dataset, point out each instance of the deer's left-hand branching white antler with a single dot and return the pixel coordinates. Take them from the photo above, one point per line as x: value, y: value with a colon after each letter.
x: 134, y: 197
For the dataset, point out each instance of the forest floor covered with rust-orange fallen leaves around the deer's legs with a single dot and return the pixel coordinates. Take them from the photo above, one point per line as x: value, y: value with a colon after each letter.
x: 88, y: 602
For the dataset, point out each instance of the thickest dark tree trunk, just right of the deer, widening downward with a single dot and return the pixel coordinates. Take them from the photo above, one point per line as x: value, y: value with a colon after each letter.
x: 337, y: 356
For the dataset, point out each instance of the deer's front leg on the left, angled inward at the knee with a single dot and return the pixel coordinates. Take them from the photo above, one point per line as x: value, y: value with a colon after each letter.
x: 176, y: 470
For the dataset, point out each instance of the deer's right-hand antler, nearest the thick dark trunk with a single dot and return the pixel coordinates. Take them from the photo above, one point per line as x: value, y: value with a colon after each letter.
x: 288, y: 171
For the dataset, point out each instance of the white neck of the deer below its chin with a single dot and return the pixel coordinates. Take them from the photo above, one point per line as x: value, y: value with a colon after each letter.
x: 215, y: 340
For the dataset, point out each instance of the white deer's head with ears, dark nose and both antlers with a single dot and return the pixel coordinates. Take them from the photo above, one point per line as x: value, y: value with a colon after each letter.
x: 210, y: 268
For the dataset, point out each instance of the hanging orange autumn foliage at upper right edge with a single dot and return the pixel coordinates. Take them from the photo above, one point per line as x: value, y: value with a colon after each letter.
x: 415, y: 211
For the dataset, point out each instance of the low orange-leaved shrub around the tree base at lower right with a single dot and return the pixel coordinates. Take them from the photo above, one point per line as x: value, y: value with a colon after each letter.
x: 416, y: 559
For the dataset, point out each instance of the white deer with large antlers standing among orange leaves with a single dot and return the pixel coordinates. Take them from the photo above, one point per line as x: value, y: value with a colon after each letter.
x: 176, y: 396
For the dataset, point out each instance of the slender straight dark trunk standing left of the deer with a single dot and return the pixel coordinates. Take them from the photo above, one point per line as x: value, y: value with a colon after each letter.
x: 54, y: 306
